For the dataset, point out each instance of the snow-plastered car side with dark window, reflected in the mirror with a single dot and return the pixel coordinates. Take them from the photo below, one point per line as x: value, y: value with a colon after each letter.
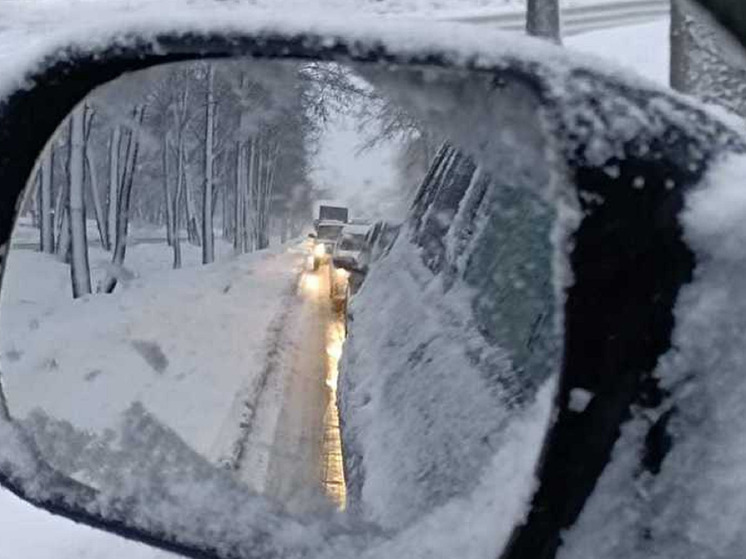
x: 452, y: 335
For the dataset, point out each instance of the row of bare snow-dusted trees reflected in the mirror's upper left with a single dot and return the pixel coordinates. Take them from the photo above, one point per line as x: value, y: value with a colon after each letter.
x: 190, y: 149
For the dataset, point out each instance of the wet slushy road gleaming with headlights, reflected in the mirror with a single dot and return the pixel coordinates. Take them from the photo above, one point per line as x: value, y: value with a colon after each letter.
x: 289, y: 444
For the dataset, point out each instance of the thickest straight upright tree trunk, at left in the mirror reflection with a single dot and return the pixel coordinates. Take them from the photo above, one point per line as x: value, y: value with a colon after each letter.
x: 80, y: 272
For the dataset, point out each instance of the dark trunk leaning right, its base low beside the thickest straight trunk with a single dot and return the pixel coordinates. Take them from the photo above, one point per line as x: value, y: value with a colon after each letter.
x: 123, y: 200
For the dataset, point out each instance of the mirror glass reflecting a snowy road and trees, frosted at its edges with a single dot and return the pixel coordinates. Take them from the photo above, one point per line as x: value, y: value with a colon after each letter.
x: 265, y: 292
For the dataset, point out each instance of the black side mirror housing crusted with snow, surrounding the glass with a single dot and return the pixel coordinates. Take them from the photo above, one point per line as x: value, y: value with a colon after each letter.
x: 612, y: 131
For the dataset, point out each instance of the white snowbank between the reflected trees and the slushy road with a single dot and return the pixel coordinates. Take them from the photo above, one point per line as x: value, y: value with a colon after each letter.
x: 184, y: 343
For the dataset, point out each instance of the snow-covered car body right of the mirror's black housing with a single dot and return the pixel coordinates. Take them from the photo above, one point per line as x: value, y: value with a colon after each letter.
x: 696, y: 505
